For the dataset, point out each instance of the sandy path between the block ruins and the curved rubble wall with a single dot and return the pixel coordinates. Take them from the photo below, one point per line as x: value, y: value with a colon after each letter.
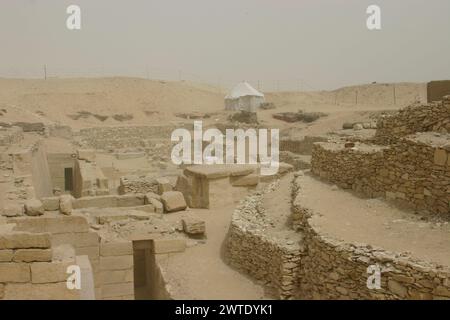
x: 201, y: 273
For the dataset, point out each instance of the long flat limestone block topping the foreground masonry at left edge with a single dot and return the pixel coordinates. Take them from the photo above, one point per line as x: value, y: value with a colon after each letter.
x: 23, y: 240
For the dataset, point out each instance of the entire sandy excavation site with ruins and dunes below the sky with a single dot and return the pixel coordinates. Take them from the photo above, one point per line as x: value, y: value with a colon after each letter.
x: 365, y: 196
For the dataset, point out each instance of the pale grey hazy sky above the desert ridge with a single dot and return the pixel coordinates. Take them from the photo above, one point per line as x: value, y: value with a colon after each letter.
x: 324, y: 42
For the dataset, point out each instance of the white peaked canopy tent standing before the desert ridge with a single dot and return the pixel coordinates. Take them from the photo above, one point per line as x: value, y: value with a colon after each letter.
x: 244, y: 97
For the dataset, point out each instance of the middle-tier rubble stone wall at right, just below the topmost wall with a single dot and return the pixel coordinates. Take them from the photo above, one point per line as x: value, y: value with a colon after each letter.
x: 414, y: 171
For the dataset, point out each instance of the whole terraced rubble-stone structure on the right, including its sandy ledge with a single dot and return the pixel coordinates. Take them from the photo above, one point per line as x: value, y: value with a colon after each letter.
x: 404, y: 168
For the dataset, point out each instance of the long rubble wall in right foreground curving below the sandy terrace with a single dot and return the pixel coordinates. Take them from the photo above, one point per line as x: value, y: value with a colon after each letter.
x: 332, y: 269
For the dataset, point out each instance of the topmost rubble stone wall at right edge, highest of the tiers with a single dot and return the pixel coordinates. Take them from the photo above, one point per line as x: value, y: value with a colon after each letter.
x: 416, y: 118
